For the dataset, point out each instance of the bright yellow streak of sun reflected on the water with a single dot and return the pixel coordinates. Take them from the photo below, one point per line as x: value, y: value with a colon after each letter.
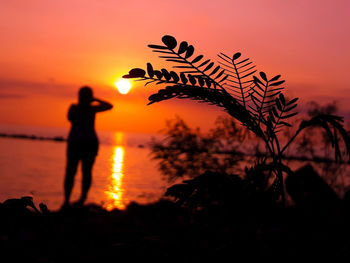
x: 115, y: 189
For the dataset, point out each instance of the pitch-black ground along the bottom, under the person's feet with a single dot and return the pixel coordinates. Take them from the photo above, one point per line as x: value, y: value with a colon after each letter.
x: 167, y: 232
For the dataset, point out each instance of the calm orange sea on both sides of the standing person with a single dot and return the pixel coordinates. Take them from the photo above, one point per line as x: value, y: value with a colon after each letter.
x: 123, y: 171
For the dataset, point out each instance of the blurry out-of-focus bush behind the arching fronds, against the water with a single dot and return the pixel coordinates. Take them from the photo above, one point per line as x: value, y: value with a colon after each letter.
x: 187, y: 152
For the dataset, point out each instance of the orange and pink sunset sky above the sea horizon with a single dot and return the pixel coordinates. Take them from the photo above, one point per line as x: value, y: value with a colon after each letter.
x: 51, y: 48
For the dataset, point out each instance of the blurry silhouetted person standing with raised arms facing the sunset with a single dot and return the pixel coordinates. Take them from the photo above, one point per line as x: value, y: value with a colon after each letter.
x: 82, y: 141
